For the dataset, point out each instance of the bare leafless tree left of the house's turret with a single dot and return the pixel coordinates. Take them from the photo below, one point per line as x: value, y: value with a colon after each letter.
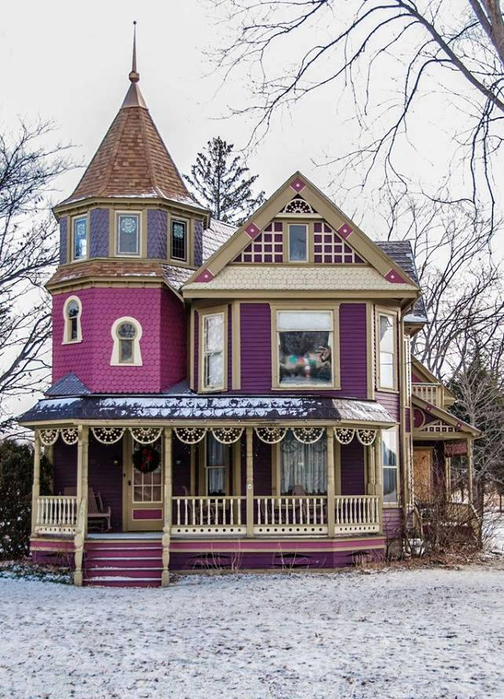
x: 28, y: 251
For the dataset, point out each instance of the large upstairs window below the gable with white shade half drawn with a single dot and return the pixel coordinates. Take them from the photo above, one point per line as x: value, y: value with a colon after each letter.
x: 305, y: 346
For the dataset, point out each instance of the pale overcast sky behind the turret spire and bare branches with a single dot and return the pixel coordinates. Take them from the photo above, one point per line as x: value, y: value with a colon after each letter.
x: 70, y: 62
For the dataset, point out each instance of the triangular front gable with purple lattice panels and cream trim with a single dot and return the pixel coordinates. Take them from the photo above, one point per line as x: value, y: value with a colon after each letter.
x: 334, y: 239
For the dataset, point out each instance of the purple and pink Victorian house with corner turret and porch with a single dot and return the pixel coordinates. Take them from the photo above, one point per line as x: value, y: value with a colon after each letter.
x: 227, y: 398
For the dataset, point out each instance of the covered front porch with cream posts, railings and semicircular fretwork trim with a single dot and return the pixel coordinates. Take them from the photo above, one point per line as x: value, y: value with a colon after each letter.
x: 213, y: 480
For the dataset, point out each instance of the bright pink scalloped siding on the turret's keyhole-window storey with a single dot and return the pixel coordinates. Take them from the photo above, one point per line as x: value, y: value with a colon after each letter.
x: 161, y: 315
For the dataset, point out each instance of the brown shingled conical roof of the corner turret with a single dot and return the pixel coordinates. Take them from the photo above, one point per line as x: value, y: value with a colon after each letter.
x: 132, y: 160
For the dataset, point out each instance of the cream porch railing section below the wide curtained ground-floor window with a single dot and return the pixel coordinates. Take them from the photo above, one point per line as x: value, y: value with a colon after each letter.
x: 301, y: 514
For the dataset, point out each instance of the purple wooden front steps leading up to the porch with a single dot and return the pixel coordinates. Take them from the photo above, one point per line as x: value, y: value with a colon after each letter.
x: 123, y: 563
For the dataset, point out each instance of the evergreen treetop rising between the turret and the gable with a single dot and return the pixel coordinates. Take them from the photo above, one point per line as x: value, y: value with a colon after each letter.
x: 222, y: 182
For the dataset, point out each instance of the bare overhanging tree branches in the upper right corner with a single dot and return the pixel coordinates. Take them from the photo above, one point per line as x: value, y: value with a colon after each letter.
x: 387, y: 57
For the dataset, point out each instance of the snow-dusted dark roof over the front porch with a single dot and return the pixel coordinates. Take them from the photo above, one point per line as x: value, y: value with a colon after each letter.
x: 193, y: 408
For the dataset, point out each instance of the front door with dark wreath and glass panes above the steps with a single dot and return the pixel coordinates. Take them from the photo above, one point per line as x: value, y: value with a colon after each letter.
x: 143, y: 490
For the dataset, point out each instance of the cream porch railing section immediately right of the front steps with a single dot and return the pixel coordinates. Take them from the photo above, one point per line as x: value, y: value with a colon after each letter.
x: 208, y: 515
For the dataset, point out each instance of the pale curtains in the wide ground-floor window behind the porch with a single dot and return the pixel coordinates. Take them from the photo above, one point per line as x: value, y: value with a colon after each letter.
x: 303, y: 467
